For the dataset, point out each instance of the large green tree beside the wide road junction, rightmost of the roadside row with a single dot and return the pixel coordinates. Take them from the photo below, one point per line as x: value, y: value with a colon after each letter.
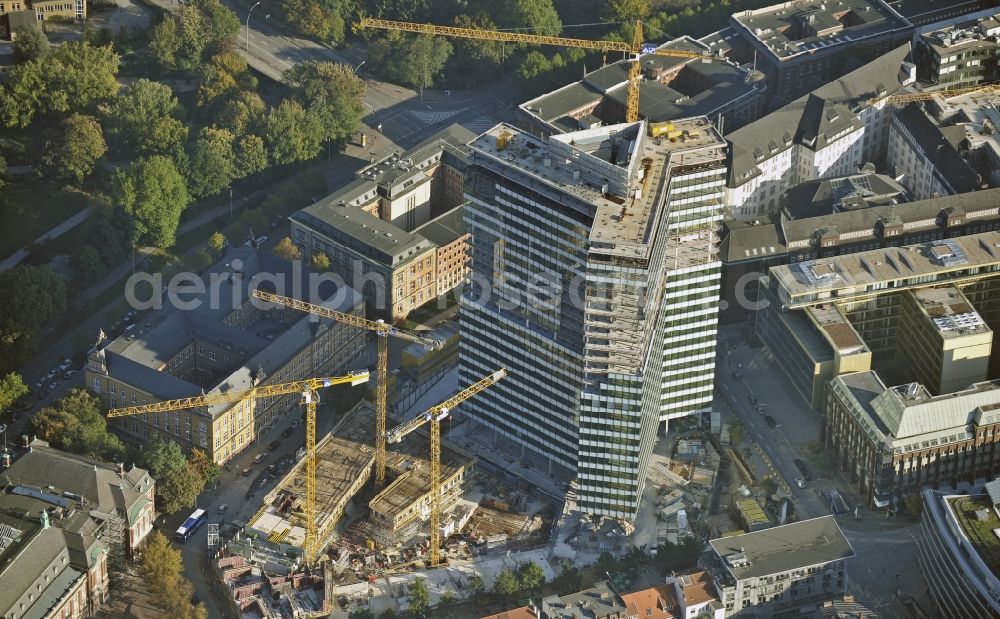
x: 332, y: 92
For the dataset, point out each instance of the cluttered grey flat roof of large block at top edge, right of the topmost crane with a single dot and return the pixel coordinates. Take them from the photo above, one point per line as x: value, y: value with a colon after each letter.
x: 796, y: 28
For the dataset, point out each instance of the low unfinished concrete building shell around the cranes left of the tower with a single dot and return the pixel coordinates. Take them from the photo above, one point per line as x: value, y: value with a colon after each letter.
x: 344, y: 462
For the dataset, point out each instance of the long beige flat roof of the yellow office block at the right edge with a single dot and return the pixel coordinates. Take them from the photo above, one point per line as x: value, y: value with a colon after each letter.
x: 850, y: 275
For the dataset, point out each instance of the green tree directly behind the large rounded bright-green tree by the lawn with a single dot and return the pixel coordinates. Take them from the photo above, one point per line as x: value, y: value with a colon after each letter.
x: 143, y: 119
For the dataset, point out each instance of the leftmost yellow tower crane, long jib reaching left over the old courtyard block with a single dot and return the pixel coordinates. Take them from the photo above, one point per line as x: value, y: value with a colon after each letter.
x: 309, y: 389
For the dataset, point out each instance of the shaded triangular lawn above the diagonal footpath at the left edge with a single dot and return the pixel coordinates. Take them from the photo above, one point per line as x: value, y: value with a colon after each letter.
x: 29, y: 209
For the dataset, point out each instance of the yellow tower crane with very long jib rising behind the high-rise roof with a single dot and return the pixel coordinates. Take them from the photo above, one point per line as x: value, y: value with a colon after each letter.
x: 633, y: 49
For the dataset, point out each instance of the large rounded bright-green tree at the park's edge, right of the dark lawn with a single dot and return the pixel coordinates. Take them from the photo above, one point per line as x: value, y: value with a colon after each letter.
x: 153, y: 193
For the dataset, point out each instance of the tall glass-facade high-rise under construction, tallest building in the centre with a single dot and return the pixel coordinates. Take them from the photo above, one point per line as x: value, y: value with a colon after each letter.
x: 595, y: 282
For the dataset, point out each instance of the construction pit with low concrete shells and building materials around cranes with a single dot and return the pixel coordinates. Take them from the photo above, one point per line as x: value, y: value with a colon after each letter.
x: 365, y: 532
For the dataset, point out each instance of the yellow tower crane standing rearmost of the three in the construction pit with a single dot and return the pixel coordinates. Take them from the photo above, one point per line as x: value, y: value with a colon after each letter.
x: 381, y: 329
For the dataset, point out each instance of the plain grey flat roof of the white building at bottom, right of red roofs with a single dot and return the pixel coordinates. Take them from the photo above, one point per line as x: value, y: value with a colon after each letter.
x: 783, y: 548
